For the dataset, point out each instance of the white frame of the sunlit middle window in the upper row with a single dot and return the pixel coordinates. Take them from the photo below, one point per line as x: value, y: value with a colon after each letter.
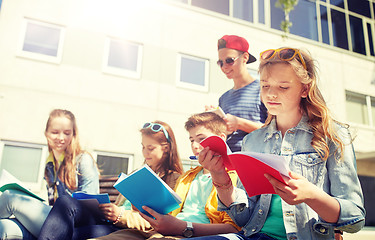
x: 119, y: 71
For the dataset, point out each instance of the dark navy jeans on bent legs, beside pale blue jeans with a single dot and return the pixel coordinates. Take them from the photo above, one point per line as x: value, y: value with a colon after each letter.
x: 71, y: 220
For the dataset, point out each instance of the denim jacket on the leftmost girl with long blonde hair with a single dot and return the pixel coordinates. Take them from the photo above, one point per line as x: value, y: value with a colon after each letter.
x: 87, y: 178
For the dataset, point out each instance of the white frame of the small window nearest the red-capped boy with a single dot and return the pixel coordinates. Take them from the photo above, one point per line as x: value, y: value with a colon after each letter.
x: 192, y: 86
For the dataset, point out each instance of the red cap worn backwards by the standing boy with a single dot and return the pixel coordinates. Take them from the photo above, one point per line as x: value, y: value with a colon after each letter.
x: 236, y: 43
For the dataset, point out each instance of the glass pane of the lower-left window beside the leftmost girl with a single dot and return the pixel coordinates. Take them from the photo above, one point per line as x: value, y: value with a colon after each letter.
x: 28, y: 157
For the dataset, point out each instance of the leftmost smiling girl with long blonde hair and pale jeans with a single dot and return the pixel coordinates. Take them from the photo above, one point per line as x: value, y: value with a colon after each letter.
x: 68, y: 169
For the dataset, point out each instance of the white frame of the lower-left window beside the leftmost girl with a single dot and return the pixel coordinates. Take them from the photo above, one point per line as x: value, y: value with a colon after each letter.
x: 34, y: 186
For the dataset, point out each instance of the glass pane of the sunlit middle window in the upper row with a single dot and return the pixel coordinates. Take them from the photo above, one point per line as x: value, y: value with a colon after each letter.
x: 123, y: 55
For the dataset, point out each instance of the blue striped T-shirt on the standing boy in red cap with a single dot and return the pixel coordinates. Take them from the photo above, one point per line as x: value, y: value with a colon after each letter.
x: 244, y: 103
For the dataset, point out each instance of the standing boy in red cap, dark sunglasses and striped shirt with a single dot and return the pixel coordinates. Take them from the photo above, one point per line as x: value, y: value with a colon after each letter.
x: 241, y: 104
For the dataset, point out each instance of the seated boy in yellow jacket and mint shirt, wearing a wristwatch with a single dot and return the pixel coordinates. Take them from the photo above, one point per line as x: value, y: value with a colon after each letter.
x: 198, y: 214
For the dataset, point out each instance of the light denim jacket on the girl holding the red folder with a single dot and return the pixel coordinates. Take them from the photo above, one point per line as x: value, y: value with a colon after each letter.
x: 337, y: 178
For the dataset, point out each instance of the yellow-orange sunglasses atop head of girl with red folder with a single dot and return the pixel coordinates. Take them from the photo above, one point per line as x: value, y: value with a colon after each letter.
x: 284, y: 54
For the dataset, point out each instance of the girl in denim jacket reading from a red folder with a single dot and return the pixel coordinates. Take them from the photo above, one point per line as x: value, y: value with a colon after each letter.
x: 323, y: 192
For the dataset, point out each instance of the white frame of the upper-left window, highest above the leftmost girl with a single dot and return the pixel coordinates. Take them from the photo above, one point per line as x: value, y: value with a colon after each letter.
x: 38, y: 56
